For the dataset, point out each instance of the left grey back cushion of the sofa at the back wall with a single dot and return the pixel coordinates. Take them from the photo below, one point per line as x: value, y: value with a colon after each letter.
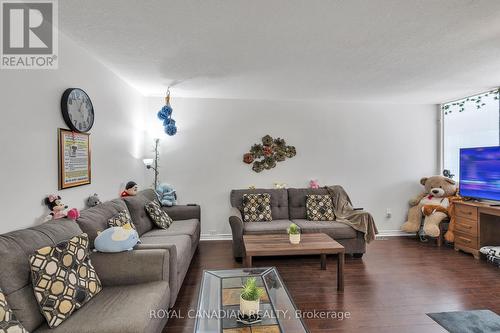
x: 279, y: 201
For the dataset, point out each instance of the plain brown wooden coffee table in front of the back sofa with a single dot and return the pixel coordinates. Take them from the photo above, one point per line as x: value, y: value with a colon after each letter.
x: 310, y: 244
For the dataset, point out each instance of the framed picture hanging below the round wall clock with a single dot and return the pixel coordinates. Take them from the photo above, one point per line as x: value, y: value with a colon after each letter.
x: 74, y: 159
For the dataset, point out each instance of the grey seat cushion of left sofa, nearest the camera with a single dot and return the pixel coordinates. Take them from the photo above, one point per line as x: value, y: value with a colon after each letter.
x: 124, y: 309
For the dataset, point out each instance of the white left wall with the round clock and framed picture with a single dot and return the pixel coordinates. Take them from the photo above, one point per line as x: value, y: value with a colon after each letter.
x: 31, y: 115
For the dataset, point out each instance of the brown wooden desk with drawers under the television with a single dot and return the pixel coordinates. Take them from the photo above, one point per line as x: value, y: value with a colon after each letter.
x: 477, y: 225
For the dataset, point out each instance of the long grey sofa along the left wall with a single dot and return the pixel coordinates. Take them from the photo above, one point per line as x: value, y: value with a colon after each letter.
x: 134, y: 282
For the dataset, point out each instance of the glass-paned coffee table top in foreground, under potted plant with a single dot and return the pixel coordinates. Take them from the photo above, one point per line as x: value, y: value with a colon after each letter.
x: 219, y: 299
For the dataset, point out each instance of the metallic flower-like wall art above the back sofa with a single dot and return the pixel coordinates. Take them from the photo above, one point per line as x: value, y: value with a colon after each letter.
x: 266, y: 155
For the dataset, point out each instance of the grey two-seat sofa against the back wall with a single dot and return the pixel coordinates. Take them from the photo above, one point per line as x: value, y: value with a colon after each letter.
x: 287, y: 206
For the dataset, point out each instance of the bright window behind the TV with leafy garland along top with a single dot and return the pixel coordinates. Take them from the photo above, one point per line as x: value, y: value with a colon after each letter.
x: 470, y: 122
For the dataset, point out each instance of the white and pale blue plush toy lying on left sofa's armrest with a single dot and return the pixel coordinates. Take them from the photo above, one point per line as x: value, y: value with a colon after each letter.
x: 116, y: 239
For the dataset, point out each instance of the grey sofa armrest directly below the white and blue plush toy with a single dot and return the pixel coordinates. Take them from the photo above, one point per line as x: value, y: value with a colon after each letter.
x: 131, y: 267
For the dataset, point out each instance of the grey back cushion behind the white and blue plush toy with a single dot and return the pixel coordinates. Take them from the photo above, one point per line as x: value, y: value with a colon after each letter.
x: 96, y: 218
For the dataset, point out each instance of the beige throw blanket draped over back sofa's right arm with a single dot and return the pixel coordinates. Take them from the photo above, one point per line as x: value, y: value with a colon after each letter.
x: 345, y: 213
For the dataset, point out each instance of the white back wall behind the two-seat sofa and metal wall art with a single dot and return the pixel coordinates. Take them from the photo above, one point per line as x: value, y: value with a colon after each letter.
x: 377, y: 152
